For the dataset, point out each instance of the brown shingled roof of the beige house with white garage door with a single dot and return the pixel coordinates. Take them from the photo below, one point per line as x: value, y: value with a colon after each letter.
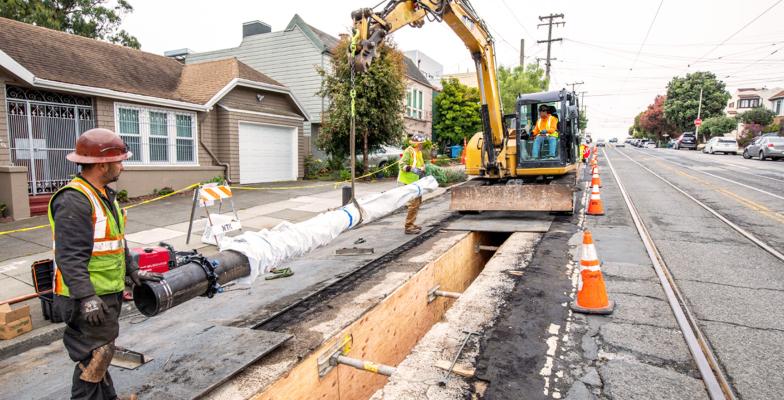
x: 51, y: 59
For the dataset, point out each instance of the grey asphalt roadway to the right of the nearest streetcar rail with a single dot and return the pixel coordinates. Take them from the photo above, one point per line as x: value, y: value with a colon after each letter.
x: 733, y: 286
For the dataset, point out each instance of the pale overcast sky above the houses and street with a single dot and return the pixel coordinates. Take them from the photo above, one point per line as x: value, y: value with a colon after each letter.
x: 604, y: 45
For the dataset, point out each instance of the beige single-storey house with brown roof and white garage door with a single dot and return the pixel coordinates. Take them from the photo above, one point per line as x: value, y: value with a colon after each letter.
x: 184, y: 123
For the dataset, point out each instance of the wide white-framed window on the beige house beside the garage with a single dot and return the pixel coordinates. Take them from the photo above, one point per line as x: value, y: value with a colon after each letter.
x: 157, y: 136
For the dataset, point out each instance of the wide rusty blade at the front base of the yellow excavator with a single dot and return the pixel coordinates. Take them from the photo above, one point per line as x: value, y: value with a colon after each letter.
x: 482, y: 195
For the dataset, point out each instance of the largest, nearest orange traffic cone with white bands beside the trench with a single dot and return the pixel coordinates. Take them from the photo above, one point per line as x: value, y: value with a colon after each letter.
x: 591, y: 291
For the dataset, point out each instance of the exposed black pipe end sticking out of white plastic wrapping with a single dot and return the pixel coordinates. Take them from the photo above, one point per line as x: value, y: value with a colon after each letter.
x: 188, y: 281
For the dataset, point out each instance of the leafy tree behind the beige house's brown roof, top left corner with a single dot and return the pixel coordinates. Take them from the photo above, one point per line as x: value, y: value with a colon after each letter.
x: 88, y: 18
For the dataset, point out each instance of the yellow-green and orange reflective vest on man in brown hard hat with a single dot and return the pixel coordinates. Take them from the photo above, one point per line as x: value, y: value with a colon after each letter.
x: 107, y: 263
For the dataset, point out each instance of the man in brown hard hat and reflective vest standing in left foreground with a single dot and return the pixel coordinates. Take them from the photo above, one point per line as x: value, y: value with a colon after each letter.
x: 90, y: 252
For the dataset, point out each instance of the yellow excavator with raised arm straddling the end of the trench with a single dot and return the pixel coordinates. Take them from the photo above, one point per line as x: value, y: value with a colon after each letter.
x: 510, y: 174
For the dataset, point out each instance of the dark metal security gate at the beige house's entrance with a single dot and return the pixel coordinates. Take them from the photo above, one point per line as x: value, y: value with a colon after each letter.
x: 43, y: 128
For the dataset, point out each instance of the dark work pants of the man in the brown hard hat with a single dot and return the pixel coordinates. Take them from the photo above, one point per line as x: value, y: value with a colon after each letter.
x: 81, y: 338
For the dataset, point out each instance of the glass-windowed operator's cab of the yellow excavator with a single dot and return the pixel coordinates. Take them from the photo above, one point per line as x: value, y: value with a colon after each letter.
x: 547, y: 152
